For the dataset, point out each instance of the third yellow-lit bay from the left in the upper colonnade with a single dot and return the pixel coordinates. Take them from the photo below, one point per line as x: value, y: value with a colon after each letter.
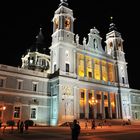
x: 97, y: 69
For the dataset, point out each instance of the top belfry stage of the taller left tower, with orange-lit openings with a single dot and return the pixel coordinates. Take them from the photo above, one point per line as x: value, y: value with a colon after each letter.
x: 63, y: 23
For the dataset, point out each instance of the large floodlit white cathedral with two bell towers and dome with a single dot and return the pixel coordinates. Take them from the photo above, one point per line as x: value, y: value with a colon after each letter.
x: 76, y: 81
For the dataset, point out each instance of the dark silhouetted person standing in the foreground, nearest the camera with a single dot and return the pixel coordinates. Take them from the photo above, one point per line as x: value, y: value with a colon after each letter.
x: 75, y: 130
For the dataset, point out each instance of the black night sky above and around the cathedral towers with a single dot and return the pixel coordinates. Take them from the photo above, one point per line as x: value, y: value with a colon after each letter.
x: 20, y: 23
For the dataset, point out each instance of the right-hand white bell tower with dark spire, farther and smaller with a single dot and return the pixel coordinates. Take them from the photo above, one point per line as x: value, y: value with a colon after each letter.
x: 114, y: 48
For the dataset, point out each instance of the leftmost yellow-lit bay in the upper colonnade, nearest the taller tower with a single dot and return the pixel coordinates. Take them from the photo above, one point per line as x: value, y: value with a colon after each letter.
x: 81, y: 65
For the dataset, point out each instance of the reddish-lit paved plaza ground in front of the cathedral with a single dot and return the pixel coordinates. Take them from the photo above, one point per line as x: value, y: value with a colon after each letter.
x: 115, y: 132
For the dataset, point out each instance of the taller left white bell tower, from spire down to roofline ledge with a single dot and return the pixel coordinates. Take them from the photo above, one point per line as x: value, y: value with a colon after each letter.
x: 63, y: 47
